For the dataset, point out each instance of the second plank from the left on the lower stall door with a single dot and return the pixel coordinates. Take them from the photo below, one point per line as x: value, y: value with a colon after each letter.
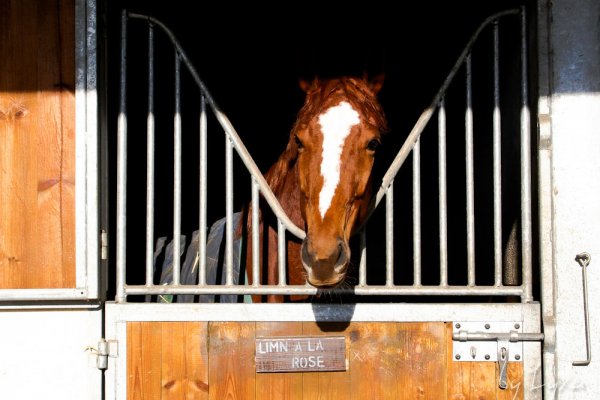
x: 184, y: 361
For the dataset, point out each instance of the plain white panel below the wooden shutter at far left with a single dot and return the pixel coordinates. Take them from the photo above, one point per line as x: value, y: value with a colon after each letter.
x: 46, y: 355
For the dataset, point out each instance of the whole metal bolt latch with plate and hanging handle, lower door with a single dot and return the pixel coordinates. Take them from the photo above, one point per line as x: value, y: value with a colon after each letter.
x: 499, y: 342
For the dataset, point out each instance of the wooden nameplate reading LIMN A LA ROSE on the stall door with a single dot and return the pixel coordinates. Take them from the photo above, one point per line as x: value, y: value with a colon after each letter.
x: 301, y: 354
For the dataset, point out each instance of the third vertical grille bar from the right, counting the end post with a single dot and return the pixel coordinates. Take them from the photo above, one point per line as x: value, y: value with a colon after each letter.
x: 470, y: 180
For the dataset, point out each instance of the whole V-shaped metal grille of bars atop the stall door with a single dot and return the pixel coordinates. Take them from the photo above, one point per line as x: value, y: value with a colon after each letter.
x: 412, y: 146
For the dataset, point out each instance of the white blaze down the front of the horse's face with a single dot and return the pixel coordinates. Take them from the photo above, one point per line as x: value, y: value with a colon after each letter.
x: 336, y: 124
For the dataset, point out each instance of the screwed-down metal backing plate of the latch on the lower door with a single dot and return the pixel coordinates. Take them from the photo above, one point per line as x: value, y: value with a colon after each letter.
x: 486, y: 350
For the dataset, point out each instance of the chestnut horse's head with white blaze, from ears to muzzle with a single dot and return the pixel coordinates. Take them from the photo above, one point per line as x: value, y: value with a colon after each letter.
x: 336, y: 135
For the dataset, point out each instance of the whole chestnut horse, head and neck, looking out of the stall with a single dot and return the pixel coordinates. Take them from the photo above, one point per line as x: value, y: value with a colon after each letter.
x: 323, y: 181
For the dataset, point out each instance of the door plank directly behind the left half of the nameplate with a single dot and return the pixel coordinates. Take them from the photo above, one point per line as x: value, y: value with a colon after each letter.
x: 282, y: 385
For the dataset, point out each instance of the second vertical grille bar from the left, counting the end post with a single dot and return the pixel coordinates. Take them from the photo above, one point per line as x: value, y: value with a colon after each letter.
x: 150, y: 162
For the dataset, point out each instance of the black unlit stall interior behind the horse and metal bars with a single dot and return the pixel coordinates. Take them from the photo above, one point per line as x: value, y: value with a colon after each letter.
x: 251, y: 56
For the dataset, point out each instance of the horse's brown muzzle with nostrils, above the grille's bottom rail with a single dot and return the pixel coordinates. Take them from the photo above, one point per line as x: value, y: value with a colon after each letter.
x: 325, y: 267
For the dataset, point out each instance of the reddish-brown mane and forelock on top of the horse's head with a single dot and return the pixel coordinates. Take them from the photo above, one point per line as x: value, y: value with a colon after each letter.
x: 320, y: 95
